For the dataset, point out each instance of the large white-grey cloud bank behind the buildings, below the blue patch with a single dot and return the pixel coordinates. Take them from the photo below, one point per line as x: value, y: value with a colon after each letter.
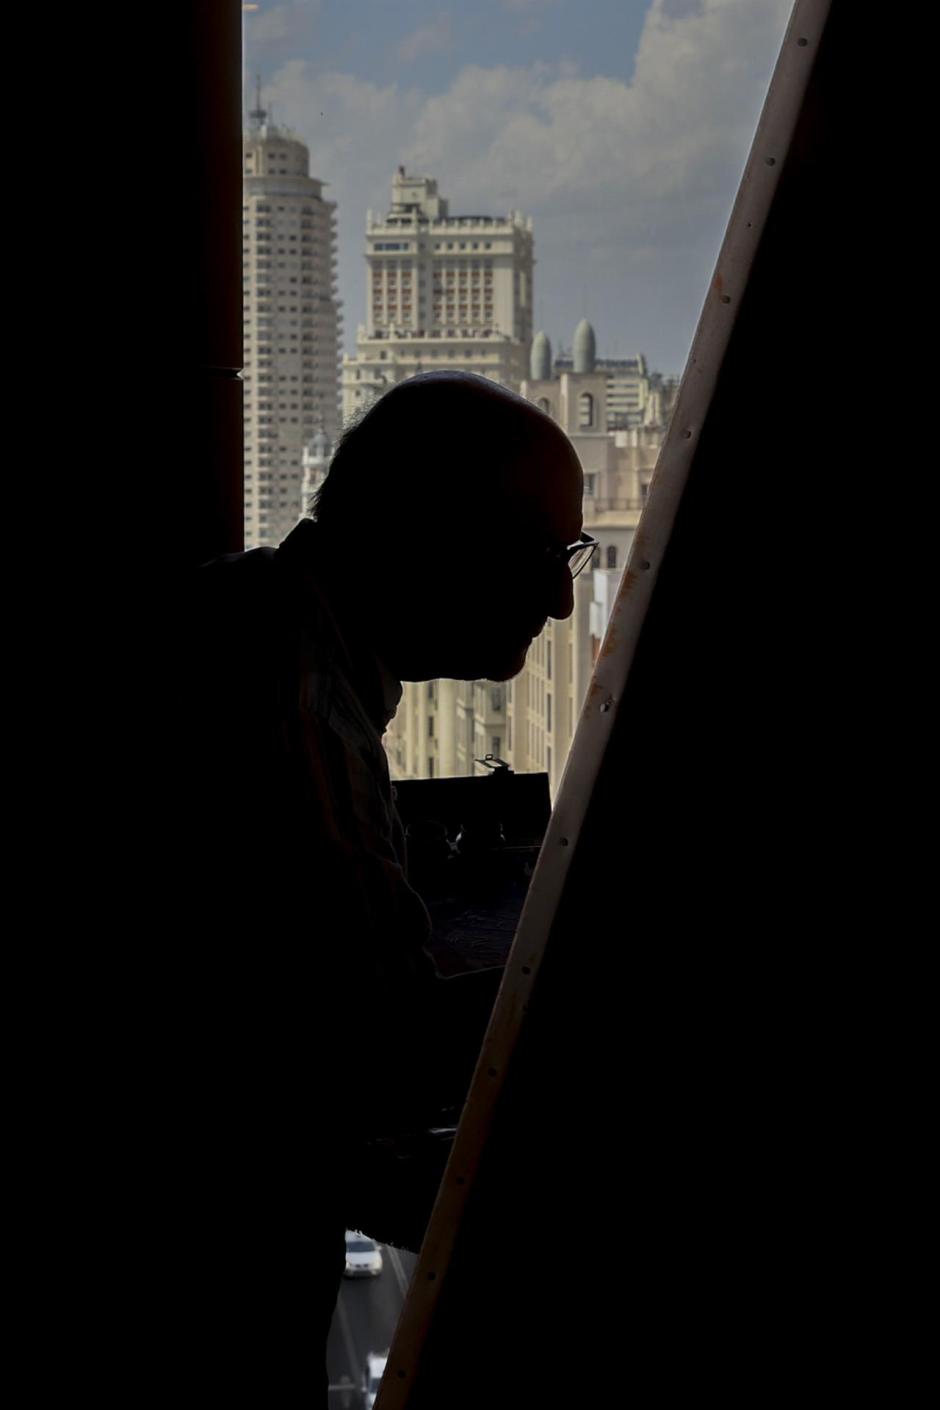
x: 629, y: 183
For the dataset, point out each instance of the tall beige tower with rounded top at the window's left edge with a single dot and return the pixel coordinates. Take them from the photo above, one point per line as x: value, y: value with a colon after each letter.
x: 292, y: 326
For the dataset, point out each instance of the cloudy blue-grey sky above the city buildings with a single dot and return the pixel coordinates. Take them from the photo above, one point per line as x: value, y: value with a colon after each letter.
x: 621, y: 126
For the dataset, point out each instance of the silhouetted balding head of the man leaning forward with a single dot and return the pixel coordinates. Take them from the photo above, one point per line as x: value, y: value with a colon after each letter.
x: 456, y: 489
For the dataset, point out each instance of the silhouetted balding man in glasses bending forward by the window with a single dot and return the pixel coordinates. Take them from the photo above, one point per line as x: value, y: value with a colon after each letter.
x: 442, y: 545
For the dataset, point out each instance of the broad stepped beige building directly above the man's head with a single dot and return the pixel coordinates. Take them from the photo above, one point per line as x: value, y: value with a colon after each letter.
x: 443, y: 293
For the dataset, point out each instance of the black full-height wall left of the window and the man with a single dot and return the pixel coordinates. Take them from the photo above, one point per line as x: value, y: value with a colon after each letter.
x: 125, y: 309
